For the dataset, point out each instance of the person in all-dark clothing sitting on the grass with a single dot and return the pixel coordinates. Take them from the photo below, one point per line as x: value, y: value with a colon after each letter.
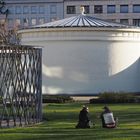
x: 84, y: 121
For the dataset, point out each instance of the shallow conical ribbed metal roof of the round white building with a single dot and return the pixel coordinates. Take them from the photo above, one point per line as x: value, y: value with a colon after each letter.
x: 80, y: 21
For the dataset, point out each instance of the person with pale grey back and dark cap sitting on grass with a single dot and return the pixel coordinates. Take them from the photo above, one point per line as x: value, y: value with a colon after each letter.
x: 107, y: 118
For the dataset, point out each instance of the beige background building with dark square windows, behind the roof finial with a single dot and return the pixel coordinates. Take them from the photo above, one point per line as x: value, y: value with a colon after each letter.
x: 123, y: 11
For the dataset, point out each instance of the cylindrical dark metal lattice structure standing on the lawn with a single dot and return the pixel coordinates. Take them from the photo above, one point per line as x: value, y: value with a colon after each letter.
x: 20, y: 85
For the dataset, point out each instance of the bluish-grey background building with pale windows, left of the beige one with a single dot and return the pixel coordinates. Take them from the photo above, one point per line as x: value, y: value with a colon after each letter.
x: 32, y: 12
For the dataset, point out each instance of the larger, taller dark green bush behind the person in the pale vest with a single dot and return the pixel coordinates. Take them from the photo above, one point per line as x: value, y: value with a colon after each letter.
x: 108, y: 97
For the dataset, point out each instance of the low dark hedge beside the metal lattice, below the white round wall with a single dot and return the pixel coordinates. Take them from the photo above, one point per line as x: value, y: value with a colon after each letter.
x: 56, y: 99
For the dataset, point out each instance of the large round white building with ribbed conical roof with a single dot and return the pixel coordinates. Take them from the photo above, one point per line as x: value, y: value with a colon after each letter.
x: 86, y: 55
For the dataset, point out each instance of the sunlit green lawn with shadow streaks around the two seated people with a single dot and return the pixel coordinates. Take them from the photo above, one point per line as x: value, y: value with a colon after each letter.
x: 62, y: 118
